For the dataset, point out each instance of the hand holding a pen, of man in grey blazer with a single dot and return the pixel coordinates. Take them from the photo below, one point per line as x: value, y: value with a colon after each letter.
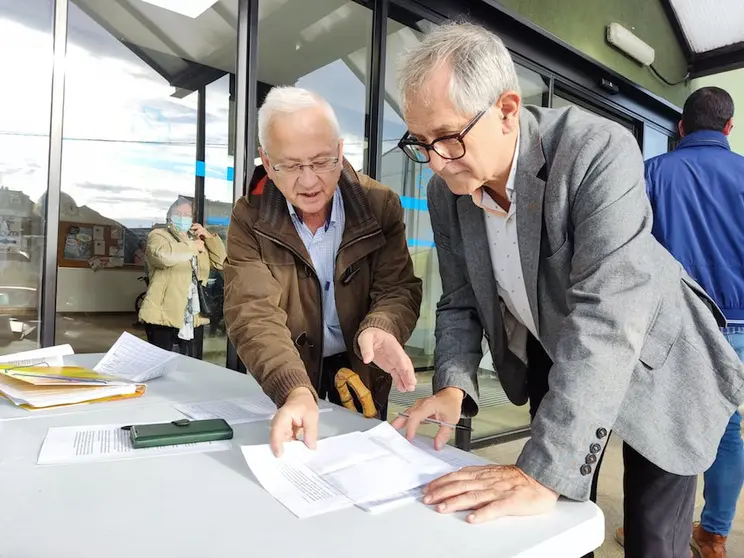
x: 445, y: 406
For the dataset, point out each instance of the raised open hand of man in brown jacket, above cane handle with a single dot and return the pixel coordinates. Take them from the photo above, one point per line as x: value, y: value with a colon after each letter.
x: 384, y: 350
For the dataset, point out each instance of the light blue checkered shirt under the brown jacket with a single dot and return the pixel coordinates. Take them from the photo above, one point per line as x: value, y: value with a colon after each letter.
x: 323, y: 247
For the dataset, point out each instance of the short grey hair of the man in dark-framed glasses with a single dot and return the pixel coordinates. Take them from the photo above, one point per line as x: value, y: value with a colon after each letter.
x: 482, y: 68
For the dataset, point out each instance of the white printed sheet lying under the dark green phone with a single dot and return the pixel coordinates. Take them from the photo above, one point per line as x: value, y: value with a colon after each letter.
x: 81, y: 444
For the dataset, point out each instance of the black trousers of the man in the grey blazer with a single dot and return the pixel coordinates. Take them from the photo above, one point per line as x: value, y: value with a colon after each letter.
x: 658, y: 506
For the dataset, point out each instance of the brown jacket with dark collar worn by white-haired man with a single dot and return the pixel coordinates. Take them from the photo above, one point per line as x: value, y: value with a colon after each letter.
x: 273, y: 307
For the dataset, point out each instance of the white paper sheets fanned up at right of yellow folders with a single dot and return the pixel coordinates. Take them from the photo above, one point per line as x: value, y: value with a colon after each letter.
x: 136, y: 360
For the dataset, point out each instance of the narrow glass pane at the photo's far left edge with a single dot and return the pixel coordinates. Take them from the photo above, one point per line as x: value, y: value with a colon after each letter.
x: 25, y: 100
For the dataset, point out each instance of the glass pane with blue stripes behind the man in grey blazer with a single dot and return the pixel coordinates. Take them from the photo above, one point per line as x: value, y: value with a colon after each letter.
x: 410, y: 180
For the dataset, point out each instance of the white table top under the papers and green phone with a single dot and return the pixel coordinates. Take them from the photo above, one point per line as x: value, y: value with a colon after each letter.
x: 210, y: 505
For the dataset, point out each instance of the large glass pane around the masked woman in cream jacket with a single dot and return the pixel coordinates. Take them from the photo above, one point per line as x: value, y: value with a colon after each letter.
x: 129, y: 151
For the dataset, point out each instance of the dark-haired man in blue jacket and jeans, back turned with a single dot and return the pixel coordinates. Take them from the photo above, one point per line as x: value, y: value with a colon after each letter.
x: 697, y: 196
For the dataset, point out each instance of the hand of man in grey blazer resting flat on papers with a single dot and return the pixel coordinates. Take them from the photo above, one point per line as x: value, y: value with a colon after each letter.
x: 491, y: 491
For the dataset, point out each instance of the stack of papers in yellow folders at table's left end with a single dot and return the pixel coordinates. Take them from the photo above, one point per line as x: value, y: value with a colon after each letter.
x: 40, y: 387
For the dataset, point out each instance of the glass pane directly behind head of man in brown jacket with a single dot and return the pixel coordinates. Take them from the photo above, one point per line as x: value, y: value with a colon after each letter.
x: 324, y: 47
